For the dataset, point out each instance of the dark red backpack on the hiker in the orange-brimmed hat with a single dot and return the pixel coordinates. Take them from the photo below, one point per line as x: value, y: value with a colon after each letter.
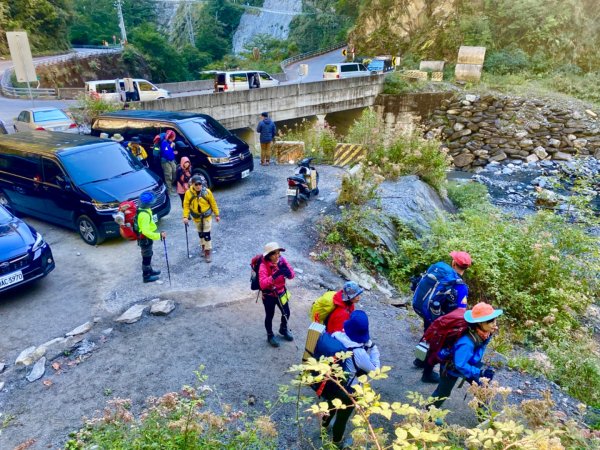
x: 443, y: 333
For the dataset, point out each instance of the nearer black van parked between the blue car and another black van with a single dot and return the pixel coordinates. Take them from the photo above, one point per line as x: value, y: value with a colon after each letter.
x: 73, y: 180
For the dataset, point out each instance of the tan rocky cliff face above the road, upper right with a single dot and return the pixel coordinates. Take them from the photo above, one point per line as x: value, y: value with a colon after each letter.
x: 384, y: 25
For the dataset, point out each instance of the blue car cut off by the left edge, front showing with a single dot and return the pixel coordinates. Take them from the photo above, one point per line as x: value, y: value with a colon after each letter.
x: 24, y: 255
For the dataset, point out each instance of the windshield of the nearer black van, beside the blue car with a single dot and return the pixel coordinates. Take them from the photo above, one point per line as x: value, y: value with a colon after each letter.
x: 99, y: 164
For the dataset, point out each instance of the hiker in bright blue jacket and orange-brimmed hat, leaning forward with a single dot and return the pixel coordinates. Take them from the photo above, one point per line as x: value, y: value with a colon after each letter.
x: 467, y: 353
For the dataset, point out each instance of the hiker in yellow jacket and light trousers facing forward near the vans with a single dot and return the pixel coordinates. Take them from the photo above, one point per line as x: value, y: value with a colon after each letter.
x: 200, y: 203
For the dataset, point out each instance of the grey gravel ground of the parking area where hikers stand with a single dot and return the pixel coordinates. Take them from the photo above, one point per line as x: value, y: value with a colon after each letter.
x: 216, y: 323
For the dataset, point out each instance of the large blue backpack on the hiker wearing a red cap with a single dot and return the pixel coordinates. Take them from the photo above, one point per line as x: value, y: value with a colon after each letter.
x: 435, y: 292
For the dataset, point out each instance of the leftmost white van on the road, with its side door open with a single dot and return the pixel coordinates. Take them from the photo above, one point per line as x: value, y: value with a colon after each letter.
x: 115, y: 91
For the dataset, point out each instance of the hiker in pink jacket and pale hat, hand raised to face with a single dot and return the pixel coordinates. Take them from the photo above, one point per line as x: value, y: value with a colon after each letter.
x: 272, y: 273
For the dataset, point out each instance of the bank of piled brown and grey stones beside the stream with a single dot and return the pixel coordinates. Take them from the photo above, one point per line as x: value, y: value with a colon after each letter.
x: 480, y: 129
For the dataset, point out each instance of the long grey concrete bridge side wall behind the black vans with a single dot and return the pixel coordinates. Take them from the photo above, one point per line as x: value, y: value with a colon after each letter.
x: 237, y: 110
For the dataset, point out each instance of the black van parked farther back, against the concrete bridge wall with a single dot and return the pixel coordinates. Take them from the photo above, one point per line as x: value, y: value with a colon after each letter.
x: 214, y: 152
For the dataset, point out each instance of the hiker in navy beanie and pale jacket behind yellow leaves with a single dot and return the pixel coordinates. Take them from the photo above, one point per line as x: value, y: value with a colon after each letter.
x: 365, y: 358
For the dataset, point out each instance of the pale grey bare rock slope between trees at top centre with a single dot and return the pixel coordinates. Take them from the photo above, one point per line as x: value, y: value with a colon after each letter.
x: 273, y: 19
